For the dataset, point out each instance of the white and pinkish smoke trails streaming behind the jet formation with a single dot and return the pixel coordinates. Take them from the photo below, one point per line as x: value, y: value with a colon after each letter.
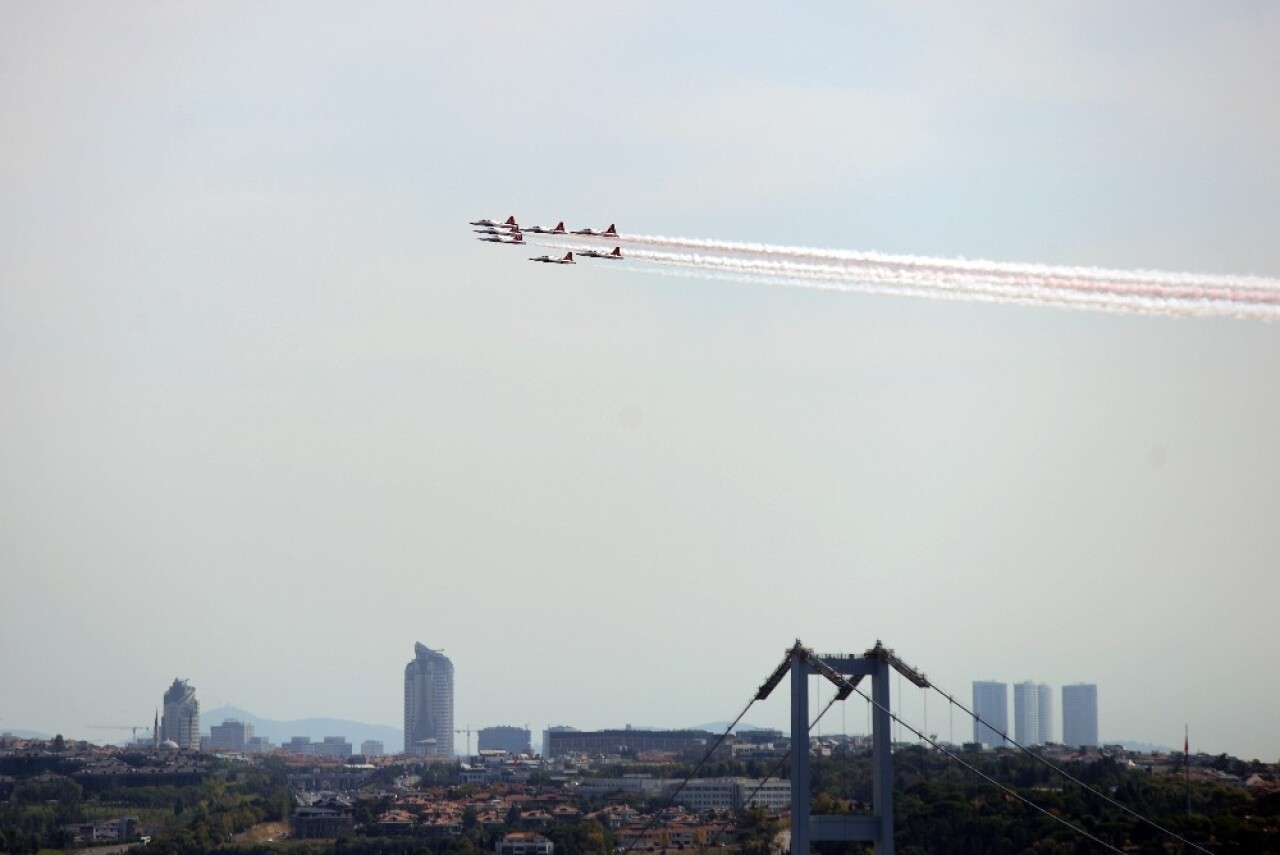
x: 1130, y: 291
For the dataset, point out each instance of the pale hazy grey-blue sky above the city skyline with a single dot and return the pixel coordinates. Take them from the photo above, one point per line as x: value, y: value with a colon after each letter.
x: 269, y: 415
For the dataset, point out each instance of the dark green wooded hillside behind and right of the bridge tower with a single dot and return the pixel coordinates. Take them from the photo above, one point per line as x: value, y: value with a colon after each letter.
x: 943, y: 808
